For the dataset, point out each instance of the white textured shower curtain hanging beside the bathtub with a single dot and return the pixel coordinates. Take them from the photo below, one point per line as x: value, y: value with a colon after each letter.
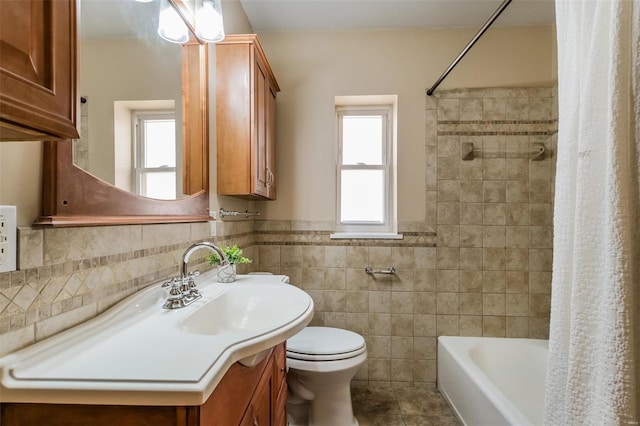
x: 593, y: 373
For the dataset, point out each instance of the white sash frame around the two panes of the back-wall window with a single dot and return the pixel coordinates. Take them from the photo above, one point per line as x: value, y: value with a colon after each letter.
x: 362, y: 228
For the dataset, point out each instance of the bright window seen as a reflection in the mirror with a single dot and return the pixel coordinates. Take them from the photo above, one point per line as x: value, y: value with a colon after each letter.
x: 155, y: 155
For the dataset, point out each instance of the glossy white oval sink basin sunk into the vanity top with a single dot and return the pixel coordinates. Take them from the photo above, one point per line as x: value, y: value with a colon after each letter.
x: 247, y: 308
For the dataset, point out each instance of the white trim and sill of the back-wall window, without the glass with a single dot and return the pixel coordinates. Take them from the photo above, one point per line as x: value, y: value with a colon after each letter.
x: 354, y: 105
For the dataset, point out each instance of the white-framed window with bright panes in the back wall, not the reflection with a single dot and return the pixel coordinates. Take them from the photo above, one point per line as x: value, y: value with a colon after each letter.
x: 365, y: 172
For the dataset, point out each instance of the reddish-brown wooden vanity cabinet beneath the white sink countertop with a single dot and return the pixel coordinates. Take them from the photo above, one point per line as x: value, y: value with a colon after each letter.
x: 245, y: 396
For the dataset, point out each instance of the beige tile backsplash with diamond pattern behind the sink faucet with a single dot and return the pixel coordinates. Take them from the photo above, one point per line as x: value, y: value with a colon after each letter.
x: 69, y: 275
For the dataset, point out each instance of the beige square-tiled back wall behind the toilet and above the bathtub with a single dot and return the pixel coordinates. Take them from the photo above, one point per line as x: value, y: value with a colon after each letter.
x: 479, y: 265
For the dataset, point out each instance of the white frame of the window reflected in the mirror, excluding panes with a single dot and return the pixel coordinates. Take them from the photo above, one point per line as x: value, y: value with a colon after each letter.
x: 139, y: 117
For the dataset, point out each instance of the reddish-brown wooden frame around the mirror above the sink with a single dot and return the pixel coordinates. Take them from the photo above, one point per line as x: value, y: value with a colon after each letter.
x: 73, y: 196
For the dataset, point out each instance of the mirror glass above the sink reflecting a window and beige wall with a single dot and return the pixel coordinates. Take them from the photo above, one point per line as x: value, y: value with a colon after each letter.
x: 129, y: 83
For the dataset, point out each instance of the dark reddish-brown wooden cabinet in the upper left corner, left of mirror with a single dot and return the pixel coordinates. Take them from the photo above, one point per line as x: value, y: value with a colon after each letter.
x: 37, y: 70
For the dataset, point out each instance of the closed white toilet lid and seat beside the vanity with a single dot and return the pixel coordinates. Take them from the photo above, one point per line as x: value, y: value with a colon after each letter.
x: 325, y: 343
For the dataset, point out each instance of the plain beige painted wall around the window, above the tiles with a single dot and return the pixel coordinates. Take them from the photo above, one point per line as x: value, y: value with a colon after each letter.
x: 313, y: 67
